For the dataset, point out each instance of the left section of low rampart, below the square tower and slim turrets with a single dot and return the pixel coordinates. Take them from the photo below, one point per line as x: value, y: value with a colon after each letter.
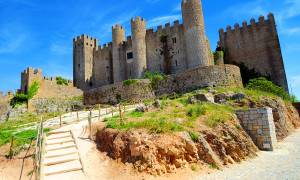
x: 134, y: 93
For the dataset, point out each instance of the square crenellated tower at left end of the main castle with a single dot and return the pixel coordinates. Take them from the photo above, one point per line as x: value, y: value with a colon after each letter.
x: 83, y: 47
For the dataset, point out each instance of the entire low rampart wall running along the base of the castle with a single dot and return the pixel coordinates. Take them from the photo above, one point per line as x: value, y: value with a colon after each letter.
x: 225, y: 75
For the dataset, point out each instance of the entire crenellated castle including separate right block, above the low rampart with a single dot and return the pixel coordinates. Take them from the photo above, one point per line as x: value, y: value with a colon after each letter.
x: 176, y: 49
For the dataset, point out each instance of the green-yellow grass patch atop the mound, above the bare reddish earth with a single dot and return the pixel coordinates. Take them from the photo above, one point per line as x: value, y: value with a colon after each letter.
x: 174, y: 115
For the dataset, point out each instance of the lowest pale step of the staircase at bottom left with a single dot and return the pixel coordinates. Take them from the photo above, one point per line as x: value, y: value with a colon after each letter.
x: 62, y: 168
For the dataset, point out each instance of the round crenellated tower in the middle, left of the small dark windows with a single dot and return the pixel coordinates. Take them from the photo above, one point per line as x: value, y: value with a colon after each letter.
x: 138, y: 29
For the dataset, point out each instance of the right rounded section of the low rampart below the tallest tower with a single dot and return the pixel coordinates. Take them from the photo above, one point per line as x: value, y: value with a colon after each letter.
x: 221, y: 75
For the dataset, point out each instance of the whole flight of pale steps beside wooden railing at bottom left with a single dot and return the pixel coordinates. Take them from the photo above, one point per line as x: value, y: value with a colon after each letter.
x: 61, y: 158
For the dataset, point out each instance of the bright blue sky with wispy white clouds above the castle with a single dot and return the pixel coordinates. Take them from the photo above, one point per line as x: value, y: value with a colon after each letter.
x: 39, y: 33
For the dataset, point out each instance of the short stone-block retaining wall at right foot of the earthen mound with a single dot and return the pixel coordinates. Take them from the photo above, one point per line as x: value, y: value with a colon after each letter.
x: 259, y: 124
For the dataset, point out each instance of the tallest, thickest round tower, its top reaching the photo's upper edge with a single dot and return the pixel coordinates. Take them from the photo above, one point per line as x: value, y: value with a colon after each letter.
x: 198, y: 53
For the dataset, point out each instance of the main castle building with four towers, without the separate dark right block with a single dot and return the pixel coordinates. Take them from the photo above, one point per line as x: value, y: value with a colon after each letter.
x: 170, y: 49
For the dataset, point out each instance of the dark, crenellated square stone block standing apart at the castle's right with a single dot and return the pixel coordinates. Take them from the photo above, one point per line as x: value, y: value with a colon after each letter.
x: 257, y: 46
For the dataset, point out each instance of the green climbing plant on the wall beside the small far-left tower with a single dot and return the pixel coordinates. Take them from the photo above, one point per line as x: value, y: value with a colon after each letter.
x: 21, y: 98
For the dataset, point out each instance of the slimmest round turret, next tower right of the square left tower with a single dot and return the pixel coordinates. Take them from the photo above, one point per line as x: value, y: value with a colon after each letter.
x: 118, y: 36
